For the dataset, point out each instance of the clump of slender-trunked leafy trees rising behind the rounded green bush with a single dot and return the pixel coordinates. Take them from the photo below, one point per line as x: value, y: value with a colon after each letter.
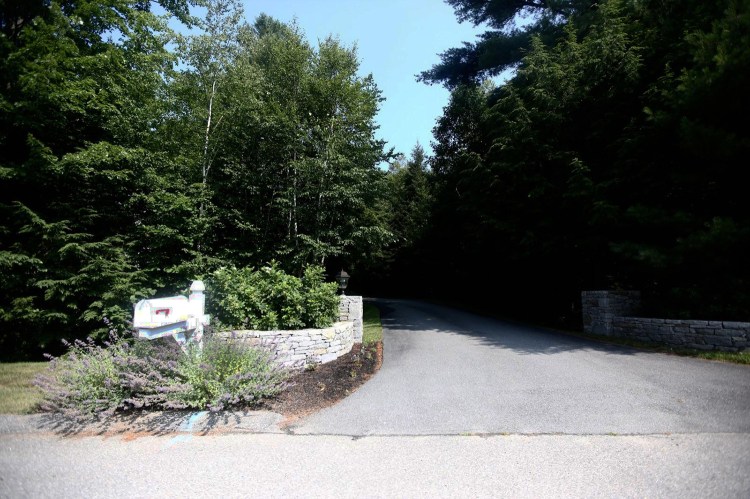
x: 296, y: 173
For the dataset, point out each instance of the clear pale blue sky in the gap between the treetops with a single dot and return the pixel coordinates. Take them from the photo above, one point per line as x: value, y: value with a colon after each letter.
x: 396, y: 39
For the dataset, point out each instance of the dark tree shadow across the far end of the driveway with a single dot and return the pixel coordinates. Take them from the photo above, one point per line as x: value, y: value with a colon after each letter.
x: 525, y: 339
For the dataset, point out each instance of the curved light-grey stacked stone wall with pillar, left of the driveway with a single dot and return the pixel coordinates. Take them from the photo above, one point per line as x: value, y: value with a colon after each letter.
x: 302, y: 347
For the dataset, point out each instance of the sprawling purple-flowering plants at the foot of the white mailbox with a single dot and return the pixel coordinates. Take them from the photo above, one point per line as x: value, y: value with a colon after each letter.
x: 125, y: 374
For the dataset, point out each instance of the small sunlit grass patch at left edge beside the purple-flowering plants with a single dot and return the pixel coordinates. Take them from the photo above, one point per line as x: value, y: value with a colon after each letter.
x: 17, y: 393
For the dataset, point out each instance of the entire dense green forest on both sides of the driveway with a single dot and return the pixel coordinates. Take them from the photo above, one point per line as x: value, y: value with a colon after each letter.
x: 135, y: 159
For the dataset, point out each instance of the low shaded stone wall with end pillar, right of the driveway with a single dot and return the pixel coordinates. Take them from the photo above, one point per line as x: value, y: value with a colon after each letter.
x: 600, y: 318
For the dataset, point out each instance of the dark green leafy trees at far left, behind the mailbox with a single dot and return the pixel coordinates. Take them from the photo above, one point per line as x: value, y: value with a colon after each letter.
x: 81, y: 176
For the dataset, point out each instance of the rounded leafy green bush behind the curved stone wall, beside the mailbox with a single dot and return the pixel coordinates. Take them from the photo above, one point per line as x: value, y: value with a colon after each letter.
x: 269, y: 298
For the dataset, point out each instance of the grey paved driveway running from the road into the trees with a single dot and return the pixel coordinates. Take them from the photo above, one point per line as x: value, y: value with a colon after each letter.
x: 451, y: 372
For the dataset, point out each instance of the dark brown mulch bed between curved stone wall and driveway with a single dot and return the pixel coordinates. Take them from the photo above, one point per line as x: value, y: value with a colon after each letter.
x: 322, y: 386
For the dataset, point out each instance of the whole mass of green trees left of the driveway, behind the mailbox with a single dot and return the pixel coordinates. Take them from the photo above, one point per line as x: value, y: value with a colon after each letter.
x: 123, y: 177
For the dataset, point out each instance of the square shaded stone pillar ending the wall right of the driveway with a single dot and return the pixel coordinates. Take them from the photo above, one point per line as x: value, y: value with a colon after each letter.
x: 599, y: 308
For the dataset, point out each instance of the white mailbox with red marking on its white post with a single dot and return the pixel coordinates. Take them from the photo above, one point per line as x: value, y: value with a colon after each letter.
x: 181, y: 317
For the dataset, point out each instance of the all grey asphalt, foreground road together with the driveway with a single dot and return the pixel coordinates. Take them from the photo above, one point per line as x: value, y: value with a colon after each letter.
x: 463, y: 406
